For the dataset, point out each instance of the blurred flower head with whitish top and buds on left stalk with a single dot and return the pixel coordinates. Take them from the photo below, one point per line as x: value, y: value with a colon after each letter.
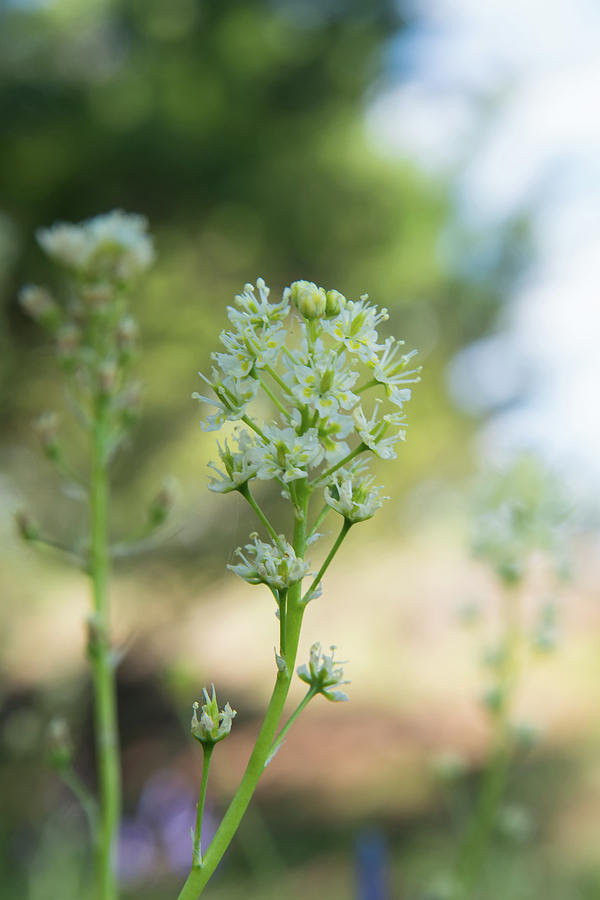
x: 95, y: 335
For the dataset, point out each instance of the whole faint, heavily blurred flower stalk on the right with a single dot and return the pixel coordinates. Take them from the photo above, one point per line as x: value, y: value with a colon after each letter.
x: 519, y: 513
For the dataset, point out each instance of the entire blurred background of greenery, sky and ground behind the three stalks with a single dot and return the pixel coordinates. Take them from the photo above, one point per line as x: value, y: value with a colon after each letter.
x: 443, y: 157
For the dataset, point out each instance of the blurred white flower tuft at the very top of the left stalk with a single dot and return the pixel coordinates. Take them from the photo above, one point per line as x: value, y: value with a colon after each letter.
x: 115, y: 245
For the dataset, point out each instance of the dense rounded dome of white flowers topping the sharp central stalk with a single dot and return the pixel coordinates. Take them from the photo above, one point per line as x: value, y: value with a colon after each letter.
x: 311, y: 381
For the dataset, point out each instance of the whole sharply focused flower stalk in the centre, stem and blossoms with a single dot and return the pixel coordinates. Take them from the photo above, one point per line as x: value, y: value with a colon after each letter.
x: 305, y: 354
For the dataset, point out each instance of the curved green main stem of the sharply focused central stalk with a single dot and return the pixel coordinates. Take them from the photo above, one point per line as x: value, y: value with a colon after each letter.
x: 200, y: 875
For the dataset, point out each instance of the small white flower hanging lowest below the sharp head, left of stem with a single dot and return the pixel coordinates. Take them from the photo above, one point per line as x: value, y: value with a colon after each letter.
x: 275, y: 565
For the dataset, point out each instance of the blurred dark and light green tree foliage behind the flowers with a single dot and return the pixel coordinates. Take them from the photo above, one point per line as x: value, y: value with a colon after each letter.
x: 237, y: 128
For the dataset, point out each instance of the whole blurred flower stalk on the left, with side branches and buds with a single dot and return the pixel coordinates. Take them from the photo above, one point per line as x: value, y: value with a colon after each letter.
x: 95, y: 341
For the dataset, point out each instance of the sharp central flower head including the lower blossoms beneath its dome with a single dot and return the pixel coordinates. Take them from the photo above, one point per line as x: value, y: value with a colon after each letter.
x: 313, y: 355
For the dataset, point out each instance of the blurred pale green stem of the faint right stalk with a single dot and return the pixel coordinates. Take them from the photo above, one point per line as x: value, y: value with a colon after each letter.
x: 475, y: 846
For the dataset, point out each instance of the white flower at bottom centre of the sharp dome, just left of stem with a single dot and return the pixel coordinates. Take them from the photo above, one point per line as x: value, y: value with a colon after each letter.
x: 288, y: 455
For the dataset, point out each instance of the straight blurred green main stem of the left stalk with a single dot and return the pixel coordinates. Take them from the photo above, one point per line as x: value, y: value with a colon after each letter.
x: 103, y: 675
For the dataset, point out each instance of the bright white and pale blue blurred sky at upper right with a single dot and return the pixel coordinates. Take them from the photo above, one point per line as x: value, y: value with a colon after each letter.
x: 503, y: 97
